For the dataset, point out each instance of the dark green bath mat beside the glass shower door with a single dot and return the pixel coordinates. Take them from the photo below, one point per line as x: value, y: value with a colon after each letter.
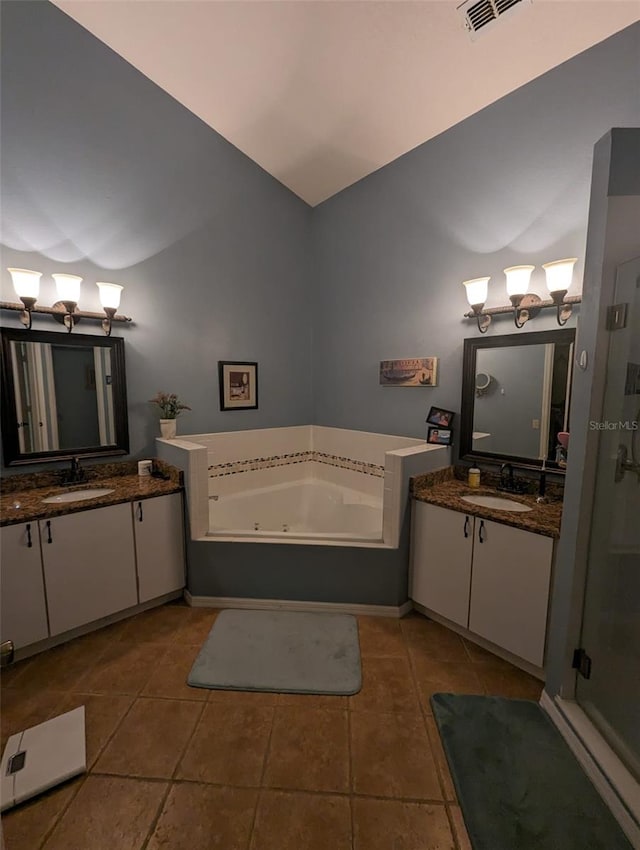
x: 520, y: 787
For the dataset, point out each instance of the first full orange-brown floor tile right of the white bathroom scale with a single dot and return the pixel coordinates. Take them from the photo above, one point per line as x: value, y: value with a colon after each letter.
x: 151, y: 738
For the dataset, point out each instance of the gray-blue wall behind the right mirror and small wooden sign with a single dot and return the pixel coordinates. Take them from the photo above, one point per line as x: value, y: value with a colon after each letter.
x: 509, y: 185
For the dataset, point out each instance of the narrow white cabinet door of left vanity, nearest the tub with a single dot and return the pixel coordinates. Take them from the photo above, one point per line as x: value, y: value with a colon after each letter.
x: 159, y: 541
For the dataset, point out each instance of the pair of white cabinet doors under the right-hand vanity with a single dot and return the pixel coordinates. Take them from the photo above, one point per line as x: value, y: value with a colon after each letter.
x: 489, y: 578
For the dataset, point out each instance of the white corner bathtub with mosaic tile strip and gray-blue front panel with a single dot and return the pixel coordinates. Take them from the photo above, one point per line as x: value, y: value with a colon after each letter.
x: 330, y: 502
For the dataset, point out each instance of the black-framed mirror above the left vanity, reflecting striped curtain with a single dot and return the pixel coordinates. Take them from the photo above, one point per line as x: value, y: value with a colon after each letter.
x: 62, y: 395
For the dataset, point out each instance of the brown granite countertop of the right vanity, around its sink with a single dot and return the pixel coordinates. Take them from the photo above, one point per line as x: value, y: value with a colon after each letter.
x: 442, y: 488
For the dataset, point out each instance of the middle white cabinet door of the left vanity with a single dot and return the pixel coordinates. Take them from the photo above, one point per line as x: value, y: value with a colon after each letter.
x: 89, y: 565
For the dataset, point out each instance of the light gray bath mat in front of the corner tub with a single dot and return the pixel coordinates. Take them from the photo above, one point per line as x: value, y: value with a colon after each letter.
x: 281, y: 651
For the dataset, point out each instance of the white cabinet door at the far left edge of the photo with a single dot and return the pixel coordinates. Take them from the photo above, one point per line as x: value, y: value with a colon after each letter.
x: 24, y: 610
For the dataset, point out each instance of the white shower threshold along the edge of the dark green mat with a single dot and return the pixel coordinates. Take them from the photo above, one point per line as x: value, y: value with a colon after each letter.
x: 620, y: 792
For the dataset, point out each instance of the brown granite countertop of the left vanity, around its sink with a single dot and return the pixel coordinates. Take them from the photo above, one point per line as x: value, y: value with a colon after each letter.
x: 22, y: 495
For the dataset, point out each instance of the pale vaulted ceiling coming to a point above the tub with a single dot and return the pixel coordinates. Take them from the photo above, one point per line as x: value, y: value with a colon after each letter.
x: 321, y: 93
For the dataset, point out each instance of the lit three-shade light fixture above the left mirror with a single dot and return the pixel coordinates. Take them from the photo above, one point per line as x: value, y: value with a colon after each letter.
x: 65, y: 310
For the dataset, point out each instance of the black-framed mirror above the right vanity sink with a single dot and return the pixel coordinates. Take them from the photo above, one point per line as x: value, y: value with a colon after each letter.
x: 516, y: 392
